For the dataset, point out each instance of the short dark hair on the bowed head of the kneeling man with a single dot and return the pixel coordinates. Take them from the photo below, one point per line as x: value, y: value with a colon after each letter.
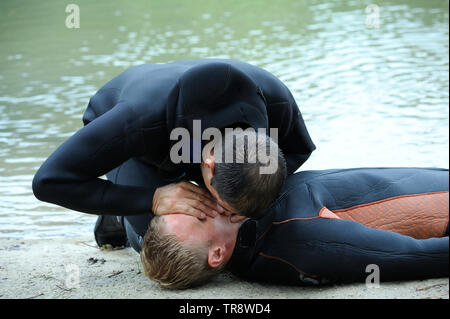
x: 241, y: 184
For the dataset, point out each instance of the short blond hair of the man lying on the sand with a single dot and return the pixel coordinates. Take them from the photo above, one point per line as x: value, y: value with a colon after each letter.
x: 173, y: 263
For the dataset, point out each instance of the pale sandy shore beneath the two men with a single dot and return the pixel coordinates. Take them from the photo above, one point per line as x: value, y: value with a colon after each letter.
x: 76, y: 268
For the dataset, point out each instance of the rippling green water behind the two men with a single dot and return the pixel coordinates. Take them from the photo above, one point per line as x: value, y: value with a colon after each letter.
x: 370, y: 96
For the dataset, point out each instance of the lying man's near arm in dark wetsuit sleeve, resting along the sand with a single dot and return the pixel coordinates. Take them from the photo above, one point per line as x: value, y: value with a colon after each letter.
x: 324, y: 250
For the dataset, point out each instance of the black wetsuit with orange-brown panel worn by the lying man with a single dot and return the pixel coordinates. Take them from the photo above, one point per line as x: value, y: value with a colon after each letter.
x: 328, y: 226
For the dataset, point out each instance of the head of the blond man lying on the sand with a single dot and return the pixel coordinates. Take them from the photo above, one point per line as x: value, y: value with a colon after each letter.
x: 181, y: 251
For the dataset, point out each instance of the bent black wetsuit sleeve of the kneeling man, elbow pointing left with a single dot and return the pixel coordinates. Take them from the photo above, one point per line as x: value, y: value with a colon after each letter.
x: 70, y: 176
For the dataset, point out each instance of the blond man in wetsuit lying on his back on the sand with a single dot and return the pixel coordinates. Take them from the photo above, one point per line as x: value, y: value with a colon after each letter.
x: 326, y: 227
